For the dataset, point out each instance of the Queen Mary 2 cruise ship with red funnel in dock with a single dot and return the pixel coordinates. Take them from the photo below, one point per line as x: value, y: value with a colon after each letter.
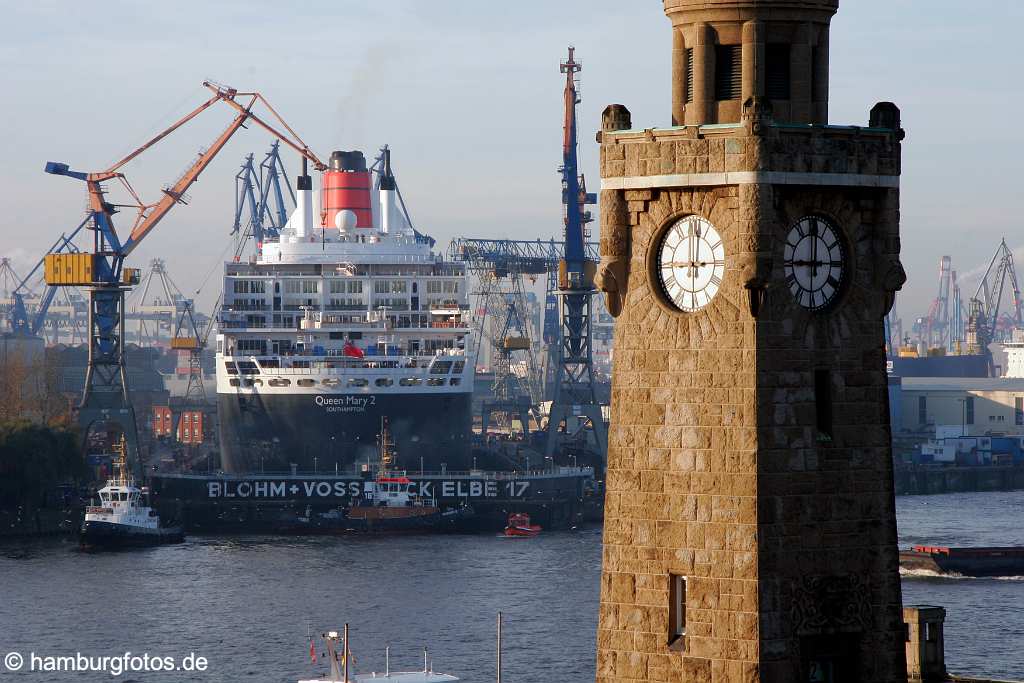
x: 346, y: 318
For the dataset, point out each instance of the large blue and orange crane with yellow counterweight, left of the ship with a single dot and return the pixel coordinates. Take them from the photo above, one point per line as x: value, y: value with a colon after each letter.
x: 103, y: 271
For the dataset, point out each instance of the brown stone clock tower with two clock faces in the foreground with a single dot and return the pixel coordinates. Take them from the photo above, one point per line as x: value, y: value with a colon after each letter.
x: 751, y: 252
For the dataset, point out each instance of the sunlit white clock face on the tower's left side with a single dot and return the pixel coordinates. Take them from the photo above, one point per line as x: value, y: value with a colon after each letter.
x: 691, y: 264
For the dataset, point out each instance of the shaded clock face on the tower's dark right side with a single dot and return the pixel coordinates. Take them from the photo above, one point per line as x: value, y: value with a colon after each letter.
x: 815, y: 263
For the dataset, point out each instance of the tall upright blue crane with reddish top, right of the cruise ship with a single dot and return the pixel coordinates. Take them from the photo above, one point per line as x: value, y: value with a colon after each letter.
x: 575, y: 395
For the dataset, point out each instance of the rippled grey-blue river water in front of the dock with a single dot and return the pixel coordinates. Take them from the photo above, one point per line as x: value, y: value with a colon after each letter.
x: 245, y: 605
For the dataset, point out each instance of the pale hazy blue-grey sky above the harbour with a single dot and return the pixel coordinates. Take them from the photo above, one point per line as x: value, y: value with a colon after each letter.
x: 470, y: 96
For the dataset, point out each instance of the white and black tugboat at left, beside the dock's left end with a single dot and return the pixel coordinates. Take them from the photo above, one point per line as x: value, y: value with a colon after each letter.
x: 122, y: 520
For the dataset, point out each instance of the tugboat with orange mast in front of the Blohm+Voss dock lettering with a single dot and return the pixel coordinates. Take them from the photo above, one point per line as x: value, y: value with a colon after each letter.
x: 388, y: 505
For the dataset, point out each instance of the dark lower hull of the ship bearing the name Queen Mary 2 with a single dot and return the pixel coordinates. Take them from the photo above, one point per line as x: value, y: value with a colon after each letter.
x: 337, y: 433
